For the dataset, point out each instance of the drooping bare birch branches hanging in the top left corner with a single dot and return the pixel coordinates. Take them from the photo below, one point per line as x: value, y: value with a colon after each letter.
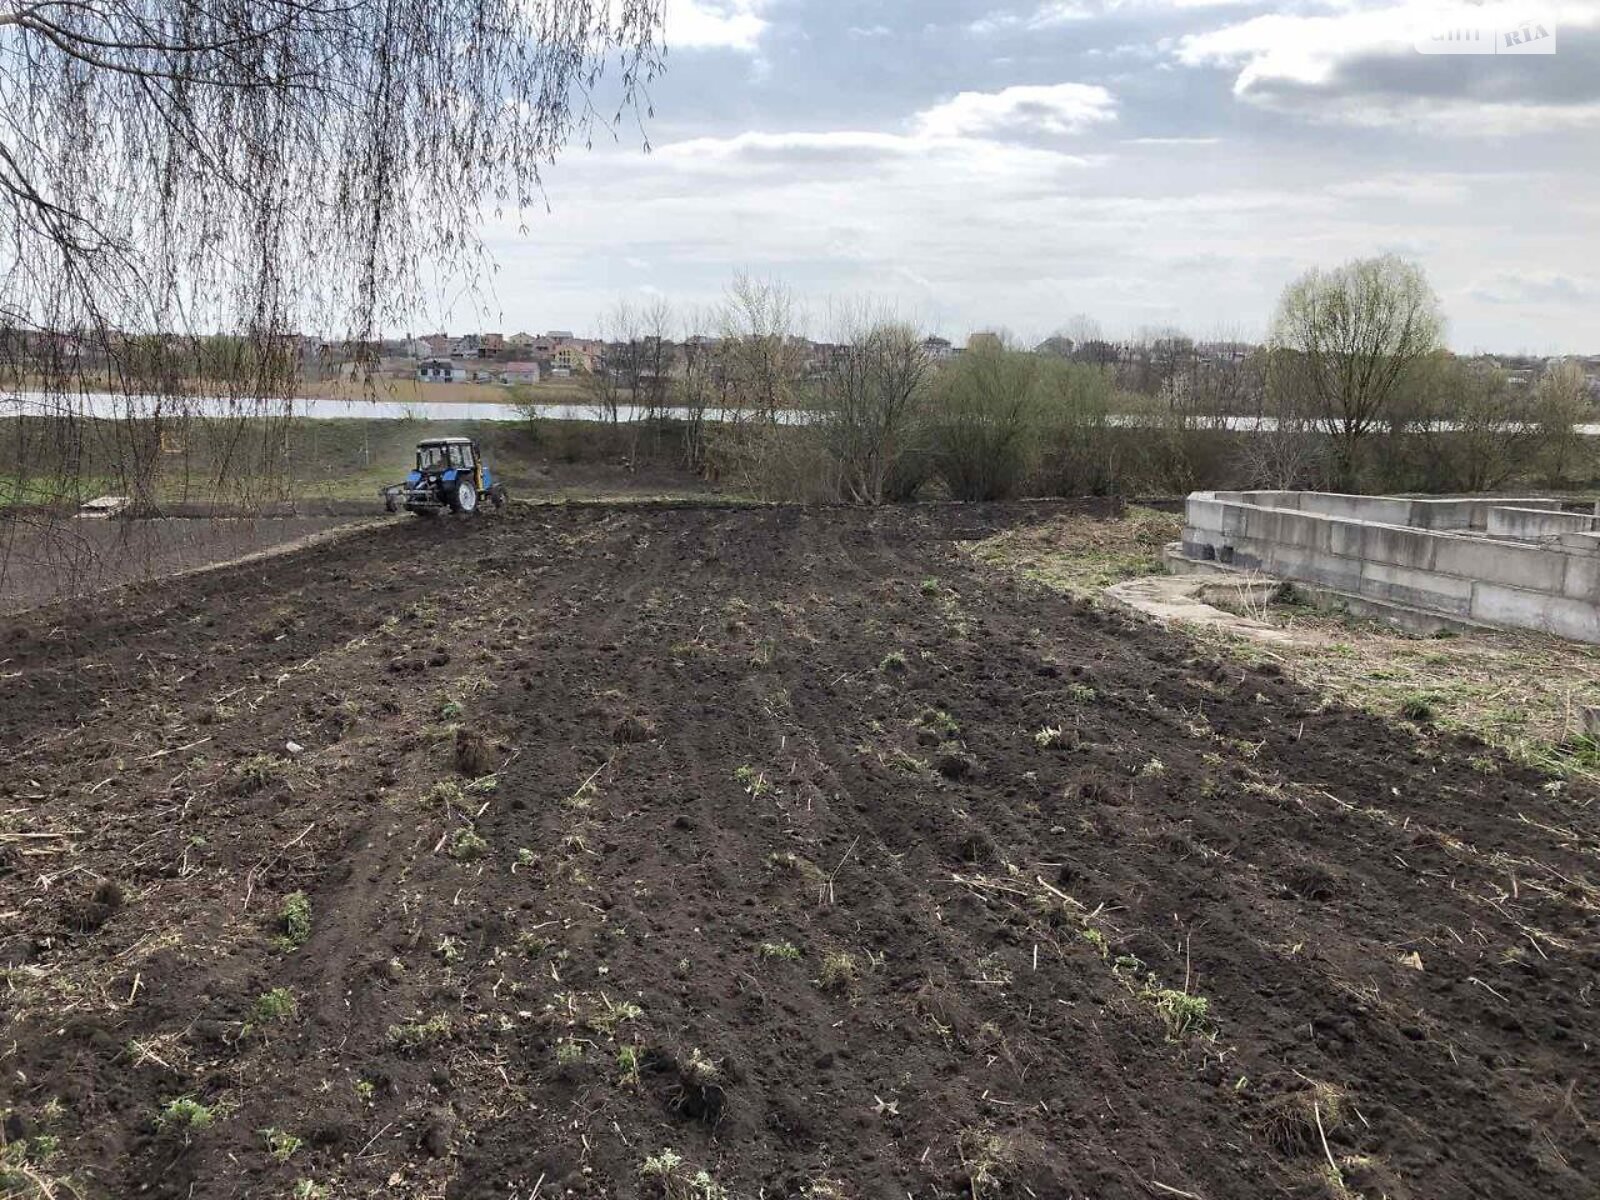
x: 263, y: 167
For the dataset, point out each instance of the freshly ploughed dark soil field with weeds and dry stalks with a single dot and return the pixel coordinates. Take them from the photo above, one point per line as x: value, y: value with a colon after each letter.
x: 812, y: 852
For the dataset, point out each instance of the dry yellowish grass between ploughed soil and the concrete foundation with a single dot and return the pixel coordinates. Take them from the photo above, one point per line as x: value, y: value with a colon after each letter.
x: 1518, y: 692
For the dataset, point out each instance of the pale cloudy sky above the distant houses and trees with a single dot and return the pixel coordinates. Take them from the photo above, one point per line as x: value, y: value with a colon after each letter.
x: 986, y: 164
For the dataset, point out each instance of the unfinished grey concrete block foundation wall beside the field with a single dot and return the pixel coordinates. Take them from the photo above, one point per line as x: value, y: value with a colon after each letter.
x: 1420, y: 554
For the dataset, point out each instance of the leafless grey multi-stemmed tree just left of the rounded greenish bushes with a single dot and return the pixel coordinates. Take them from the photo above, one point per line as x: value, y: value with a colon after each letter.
x: 873, y: 399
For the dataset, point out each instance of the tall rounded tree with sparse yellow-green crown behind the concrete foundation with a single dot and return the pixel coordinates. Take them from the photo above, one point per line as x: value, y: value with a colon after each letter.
x: 1348, y: 338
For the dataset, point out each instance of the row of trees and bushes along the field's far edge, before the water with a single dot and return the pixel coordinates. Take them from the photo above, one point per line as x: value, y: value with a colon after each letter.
x: 1353, y: 391
